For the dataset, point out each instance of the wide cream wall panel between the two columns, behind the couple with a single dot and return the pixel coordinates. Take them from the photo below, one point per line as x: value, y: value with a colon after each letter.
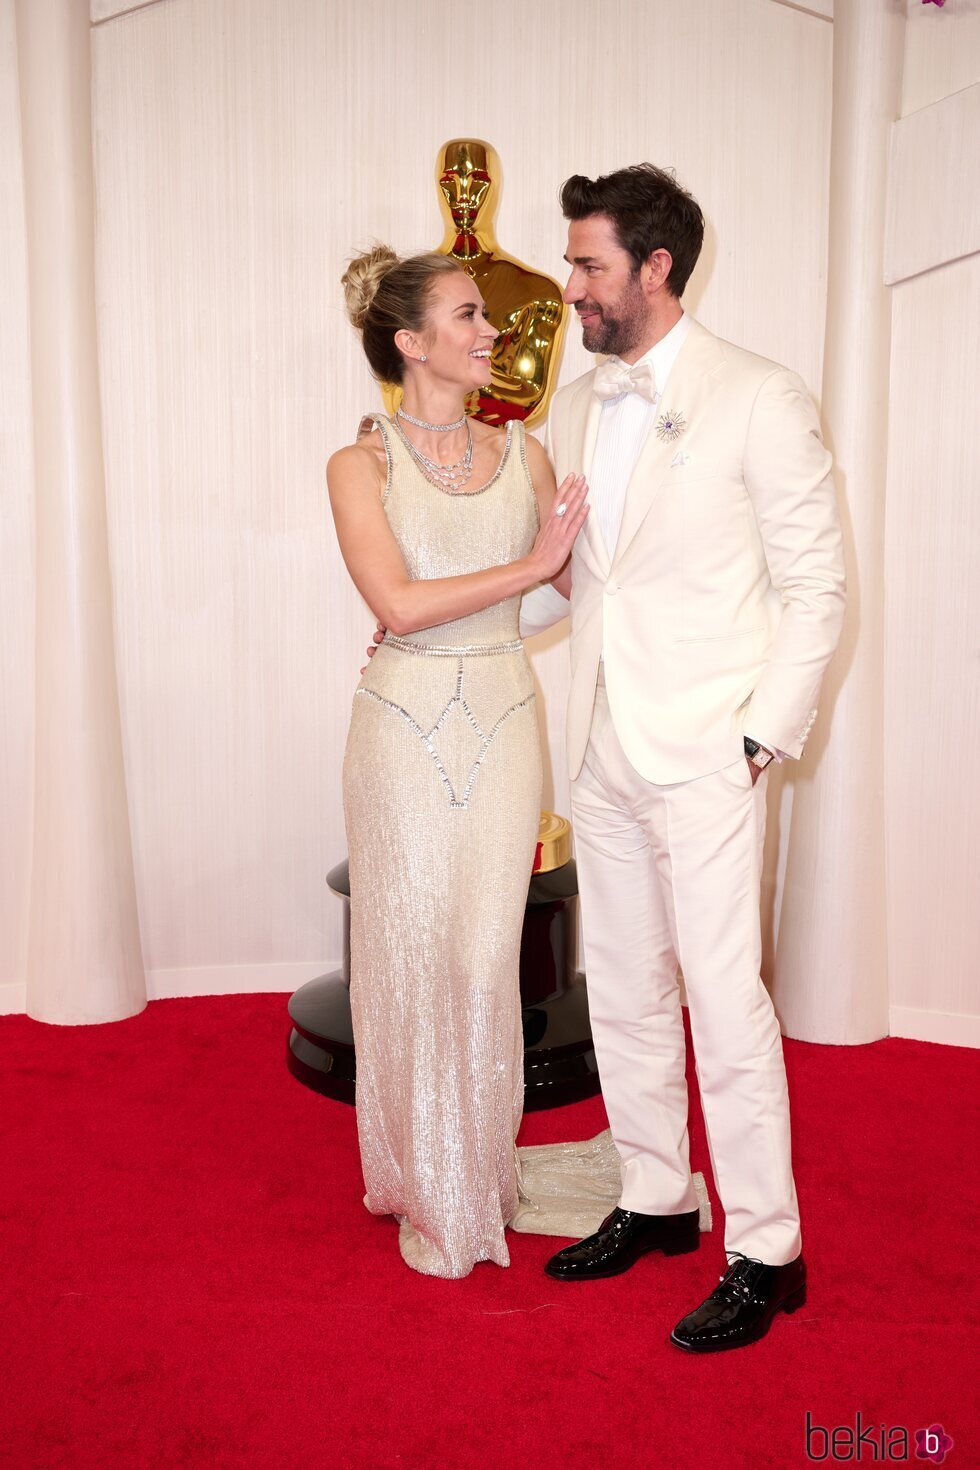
x: 245, y: 148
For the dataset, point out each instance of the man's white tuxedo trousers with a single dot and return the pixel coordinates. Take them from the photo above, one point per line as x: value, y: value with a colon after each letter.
x: 672, y: 875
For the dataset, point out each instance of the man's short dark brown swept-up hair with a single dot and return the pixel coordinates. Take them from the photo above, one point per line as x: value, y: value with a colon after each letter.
x: 650, y: 212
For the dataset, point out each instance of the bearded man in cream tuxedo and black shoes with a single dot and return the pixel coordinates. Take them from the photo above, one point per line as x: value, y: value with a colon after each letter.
x: 706, y: 602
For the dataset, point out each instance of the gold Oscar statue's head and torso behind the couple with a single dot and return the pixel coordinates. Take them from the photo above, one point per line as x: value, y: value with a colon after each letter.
x: 525, y: 306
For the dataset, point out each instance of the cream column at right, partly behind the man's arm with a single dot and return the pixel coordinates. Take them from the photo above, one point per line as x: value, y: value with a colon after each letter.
x: 831, y: 975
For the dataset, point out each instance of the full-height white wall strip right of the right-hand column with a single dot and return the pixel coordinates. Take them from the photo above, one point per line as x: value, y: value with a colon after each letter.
x: 932, y: 696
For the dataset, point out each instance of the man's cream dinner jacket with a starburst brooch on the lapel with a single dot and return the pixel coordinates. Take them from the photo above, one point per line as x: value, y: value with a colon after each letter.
x: 722, y: 603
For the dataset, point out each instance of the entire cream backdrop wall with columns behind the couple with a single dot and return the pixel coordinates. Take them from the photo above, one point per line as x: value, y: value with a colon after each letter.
x: 243, y: 149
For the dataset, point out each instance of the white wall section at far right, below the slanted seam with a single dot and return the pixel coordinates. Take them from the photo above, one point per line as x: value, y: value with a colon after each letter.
x: 934, y: 648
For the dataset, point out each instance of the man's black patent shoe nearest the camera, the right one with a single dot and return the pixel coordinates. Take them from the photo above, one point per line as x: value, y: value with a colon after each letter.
x: 743, y: 1306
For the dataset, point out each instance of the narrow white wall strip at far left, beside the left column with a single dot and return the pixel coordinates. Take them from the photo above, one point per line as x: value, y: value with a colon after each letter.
x: 17, y: 540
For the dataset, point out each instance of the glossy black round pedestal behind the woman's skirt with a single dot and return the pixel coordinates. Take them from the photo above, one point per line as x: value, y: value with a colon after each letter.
x: 559, y: 1056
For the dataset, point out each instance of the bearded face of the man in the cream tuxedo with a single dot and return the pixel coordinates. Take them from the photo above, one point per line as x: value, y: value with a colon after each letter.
x: 605, y: 287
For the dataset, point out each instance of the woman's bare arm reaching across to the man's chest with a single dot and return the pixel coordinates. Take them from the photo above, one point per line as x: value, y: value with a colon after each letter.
x: 378, y: 570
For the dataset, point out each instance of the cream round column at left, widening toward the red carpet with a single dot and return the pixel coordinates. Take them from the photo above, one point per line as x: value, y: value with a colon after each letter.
x: 84, y: 962
